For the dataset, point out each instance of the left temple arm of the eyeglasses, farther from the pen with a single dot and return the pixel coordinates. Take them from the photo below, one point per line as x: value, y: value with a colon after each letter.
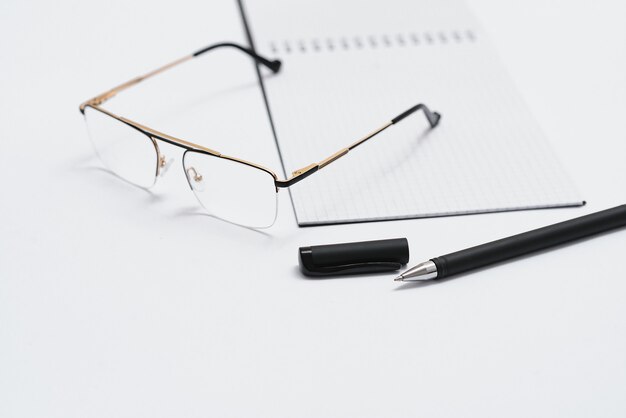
x: 273, y: 65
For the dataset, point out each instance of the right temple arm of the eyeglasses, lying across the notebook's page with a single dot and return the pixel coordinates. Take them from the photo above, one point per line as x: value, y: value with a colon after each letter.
x: 298, y: 175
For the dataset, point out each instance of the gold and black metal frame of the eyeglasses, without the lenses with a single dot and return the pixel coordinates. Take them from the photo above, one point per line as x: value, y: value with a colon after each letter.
x: 274, y: 65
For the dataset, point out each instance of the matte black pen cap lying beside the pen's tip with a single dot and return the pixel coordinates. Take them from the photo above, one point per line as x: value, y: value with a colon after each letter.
x: 354, y: 257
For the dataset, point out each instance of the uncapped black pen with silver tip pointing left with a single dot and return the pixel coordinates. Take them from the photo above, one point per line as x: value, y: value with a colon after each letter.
x: 516, y: 245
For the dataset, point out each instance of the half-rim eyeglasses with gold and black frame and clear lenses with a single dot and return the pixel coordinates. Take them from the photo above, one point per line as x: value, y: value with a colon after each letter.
x: 238, y: 191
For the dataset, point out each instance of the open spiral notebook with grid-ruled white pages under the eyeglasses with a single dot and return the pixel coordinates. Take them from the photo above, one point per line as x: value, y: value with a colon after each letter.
x: 350, y: 66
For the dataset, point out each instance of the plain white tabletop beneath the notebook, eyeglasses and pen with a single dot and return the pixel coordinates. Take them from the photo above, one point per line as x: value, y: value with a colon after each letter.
x: 116, y: 302
